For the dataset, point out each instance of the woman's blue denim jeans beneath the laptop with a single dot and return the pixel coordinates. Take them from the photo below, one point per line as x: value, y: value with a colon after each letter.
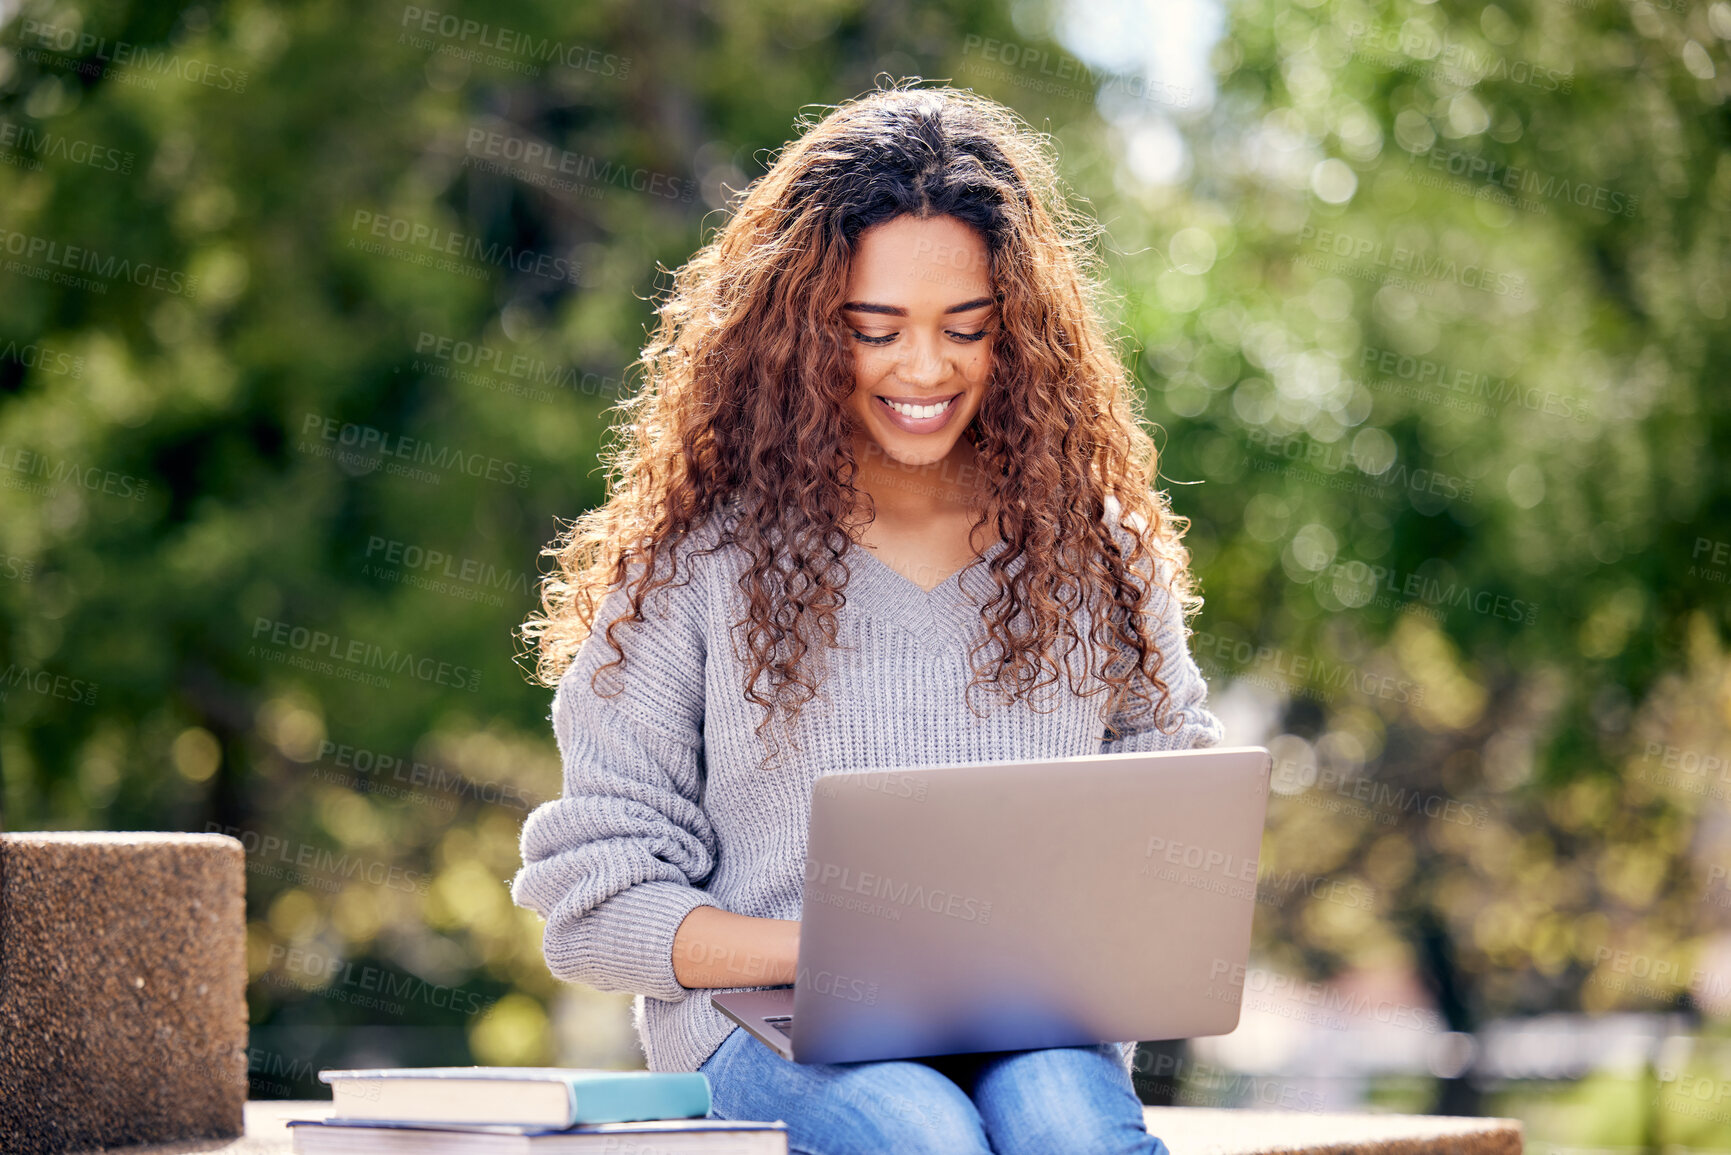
x: 1074, y: 1099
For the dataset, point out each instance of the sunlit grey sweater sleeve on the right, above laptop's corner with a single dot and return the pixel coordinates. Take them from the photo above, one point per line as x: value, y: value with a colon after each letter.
x: 1183, y: 721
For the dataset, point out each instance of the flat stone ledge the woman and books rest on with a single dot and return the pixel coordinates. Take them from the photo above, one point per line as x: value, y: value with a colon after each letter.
x: 1187, y: 1132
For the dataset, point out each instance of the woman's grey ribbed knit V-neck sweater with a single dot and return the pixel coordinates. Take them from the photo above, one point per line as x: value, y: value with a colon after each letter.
x: 666, y: 808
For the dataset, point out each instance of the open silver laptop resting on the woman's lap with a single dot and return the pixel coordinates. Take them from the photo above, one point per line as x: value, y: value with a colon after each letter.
x: 1020, y: 905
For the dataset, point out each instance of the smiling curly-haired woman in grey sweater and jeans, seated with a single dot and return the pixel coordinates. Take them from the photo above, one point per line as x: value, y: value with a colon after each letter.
x: 882, y: 444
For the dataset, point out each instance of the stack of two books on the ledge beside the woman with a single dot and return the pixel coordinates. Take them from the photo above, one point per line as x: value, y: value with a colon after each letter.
x: 492, y: 1111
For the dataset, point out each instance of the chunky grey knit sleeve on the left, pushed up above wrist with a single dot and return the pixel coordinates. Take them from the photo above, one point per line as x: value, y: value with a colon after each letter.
x: 619, y: 861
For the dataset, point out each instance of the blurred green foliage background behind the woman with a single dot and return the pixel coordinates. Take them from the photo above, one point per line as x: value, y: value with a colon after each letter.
x: 1477, y: 605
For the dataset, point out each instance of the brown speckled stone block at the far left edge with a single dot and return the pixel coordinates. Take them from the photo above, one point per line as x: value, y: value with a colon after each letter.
x: 122, y: 990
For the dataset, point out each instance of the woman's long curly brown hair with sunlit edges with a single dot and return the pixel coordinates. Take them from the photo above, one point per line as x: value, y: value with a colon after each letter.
x: 743, y: 406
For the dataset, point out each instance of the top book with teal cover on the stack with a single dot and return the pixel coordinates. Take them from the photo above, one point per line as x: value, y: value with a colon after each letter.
x: 555, y: 1097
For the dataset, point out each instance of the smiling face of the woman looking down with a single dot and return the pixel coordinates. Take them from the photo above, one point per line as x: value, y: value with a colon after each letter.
x: 922, y: 319
